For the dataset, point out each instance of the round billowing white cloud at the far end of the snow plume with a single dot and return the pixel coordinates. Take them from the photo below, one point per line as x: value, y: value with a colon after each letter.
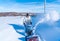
x: 53, y: 16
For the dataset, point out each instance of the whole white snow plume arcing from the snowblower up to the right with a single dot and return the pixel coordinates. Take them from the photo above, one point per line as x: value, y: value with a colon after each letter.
x: 51, y: 17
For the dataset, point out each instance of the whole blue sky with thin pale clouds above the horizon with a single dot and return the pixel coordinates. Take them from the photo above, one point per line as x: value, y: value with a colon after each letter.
x: 27, y: 5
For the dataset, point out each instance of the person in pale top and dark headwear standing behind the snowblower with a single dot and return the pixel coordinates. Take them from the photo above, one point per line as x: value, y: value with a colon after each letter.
x: 28, y: 25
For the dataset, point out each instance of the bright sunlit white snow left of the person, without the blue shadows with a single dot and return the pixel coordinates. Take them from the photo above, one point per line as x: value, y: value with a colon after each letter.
x: 7, y: 32
